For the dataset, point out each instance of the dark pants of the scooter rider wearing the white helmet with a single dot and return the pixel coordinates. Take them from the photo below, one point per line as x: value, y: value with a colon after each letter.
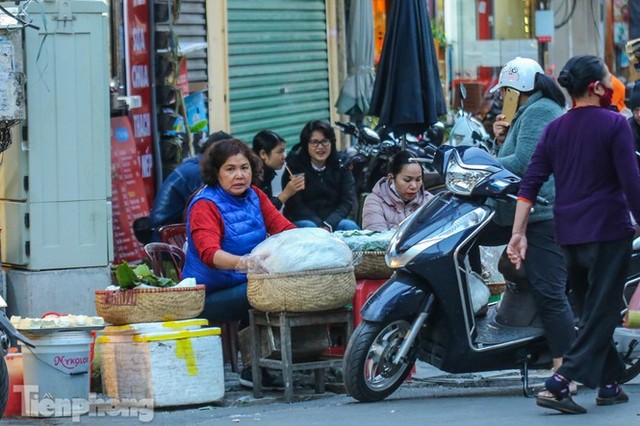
x: 547, y: 274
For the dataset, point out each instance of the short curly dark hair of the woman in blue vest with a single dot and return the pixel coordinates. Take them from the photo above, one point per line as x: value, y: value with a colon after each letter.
x: 219, y: 152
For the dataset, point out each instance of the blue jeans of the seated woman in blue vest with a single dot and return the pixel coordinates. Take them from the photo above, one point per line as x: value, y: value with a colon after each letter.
x: 229, y: 304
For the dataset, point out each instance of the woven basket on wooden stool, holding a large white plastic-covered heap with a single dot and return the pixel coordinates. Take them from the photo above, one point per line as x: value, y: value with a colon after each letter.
x: 305, y: 291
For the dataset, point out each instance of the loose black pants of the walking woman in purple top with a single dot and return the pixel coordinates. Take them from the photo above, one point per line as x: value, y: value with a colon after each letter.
x: 597, y: 274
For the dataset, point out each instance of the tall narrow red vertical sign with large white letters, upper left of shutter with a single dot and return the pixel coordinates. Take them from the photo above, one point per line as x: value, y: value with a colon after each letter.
x: 139, y: 75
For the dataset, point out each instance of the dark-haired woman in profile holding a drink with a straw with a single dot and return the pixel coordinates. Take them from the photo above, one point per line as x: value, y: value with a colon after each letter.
x: 270, y: 147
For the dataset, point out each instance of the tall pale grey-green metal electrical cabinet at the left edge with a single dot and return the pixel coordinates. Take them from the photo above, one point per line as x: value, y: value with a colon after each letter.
x: 55, y: 184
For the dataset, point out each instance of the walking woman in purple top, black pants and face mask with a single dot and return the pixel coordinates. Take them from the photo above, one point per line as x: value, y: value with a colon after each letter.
x: 590, y: 152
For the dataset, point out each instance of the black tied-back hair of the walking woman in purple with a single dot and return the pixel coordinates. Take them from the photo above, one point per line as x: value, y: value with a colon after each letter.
x: 579, y: 72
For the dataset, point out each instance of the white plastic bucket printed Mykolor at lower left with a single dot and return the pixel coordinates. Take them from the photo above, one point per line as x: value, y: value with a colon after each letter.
x: 56, y: 374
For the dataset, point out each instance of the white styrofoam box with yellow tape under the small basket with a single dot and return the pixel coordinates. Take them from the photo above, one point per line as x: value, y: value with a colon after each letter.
x: 170, y: 364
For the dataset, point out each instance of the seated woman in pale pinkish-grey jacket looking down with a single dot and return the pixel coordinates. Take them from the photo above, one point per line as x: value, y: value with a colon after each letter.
x: 395, y: 196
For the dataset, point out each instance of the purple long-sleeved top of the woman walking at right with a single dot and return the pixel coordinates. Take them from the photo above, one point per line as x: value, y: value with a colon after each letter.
x: 590, y: 151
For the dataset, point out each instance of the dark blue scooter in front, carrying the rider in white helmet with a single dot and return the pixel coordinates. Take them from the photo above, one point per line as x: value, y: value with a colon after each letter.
x: 425, y: 310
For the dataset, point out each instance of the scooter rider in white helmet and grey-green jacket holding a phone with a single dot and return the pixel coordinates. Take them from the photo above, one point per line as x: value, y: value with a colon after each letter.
x: 540, y: 102
